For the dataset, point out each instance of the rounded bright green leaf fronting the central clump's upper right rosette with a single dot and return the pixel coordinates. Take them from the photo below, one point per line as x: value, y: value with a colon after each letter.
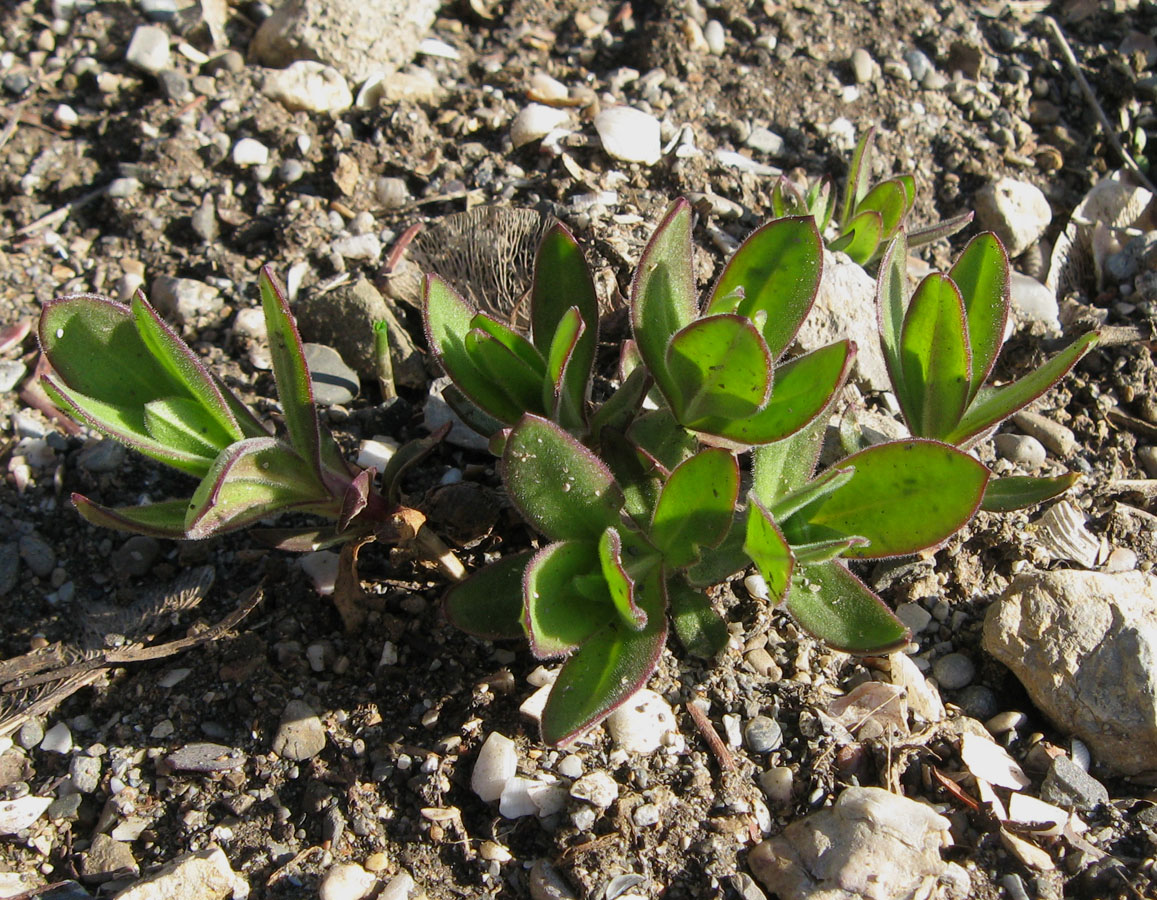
x: 719, y: 368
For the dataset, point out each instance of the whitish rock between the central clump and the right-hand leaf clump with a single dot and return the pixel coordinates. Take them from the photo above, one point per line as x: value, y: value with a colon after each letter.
x: 846, y: 308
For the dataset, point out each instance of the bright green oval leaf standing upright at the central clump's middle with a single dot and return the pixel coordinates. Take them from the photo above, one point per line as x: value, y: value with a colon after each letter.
x: 695, y: 507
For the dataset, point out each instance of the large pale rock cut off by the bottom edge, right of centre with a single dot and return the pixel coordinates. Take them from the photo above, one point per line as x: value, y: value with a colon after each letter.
x: 871, y: 845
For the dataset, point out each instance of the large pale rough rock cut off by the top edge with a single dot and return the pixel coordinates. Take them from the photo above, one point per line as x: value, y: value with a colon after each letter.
x: 357, y: 39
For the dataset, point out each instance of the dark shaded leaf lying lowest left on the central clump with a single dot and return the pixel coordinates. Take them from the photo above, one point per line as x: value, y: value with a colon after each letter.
x: 490, y: 603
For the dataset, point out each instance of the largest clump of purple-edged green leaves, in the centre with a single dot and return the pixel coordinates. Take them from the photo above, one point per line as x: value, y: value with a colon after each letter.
x: 639, y: 500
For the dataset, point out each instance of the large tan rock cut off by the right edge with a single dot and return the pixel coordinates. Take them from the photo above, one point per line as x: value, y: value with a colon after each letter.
x: 1085, y: 646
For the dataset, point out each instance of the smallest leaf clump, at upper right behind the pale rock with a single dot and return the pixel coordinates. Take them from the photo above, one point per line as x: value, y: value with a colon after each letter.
x: 871, y: 216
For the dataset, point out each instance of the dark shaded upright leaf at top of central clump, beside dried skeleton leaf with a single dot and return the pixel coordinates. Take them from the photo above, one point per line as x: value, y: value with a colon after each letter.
x: 563, y: 282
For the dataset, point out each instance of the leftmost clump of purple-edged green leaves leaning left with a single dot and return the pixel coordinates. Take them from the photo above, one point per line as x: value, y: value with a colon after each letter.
x: 123, y: 372
